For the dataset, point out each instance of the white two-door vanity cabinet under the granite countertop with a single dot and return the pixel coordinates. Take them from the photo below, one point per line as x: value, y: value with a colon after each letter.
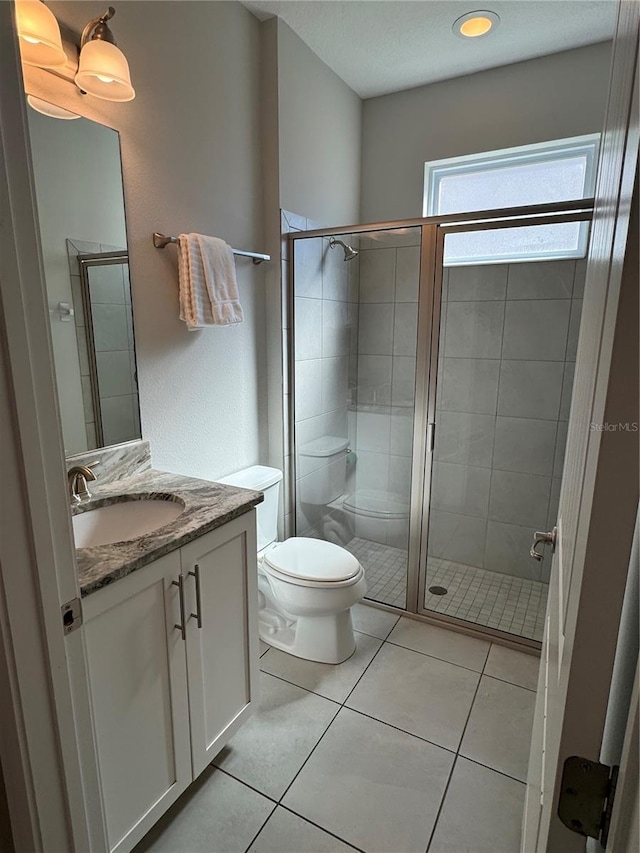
x: 166, y: 699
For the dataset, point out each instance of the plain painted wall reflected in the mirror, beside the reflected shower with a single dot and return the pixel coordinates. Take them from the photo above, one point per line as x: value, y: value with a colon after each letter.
x: 79, y: 192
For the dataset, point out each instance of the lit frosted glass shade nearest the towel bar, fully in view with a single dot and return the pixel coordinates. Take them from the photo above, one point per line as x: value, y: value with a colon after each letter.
x: 103, y: 71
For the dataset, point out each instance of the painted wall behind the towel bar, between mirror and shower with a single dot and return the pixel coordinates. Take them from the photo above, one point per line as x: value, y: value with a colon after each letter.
x: 191, y: 162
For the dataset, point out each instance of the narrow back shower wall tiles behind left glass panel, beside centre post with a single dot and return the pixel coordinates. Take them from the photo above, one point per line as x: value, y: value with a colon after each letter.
x: 387, y: 326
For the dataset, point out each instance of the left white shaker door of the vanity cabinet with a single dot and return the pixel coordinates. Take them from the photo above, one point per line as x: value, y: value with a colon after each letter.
x: 138, y: 685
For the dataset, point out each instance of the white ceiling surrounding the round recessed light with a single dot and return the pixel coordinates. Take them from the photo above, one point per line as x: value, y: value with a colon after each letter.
x: 382, y: 46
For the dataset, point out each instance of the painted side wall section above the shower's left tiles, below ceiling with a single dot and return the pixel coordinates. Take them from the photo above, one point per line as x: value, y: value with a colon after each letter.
x: 319, y: 128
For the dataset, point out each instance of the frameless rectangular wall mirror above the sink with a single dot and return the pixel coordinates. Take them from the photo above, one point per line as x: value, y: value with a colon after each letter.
x: 78, y: 180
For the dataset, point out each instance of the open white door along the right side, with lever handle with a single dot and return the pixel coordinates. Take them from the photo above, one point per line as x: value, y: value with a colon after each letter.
x: 600, y: 481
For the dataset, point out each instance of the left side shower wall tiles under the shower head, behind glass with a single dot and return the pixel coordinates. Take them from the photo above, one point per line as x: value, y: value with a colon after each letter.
x: 326, y: 316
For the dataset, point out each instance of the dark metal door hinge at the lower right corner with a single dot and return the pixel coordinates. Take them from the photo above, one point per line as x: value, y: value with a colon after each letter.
x: 586, y: 797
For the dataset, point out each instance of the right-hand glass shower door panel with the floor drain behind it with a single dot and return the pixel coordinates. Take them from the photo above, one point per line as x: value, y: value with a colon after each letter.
x: 501, y: 377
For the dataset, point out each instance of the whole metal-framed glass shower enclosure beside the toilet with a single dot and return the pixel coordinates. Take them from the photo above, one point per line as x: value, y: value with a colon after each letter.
x: 431, y: 365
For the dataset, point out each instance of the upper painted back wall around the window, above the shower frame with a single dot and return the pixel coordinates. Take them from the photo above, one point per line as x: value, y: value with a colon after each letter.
x: 556, y: 96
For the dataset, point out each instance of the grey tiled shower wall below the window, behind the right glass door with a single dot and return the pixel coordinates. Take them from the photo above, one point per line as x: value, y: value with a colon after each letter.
x: 505, y: 374
